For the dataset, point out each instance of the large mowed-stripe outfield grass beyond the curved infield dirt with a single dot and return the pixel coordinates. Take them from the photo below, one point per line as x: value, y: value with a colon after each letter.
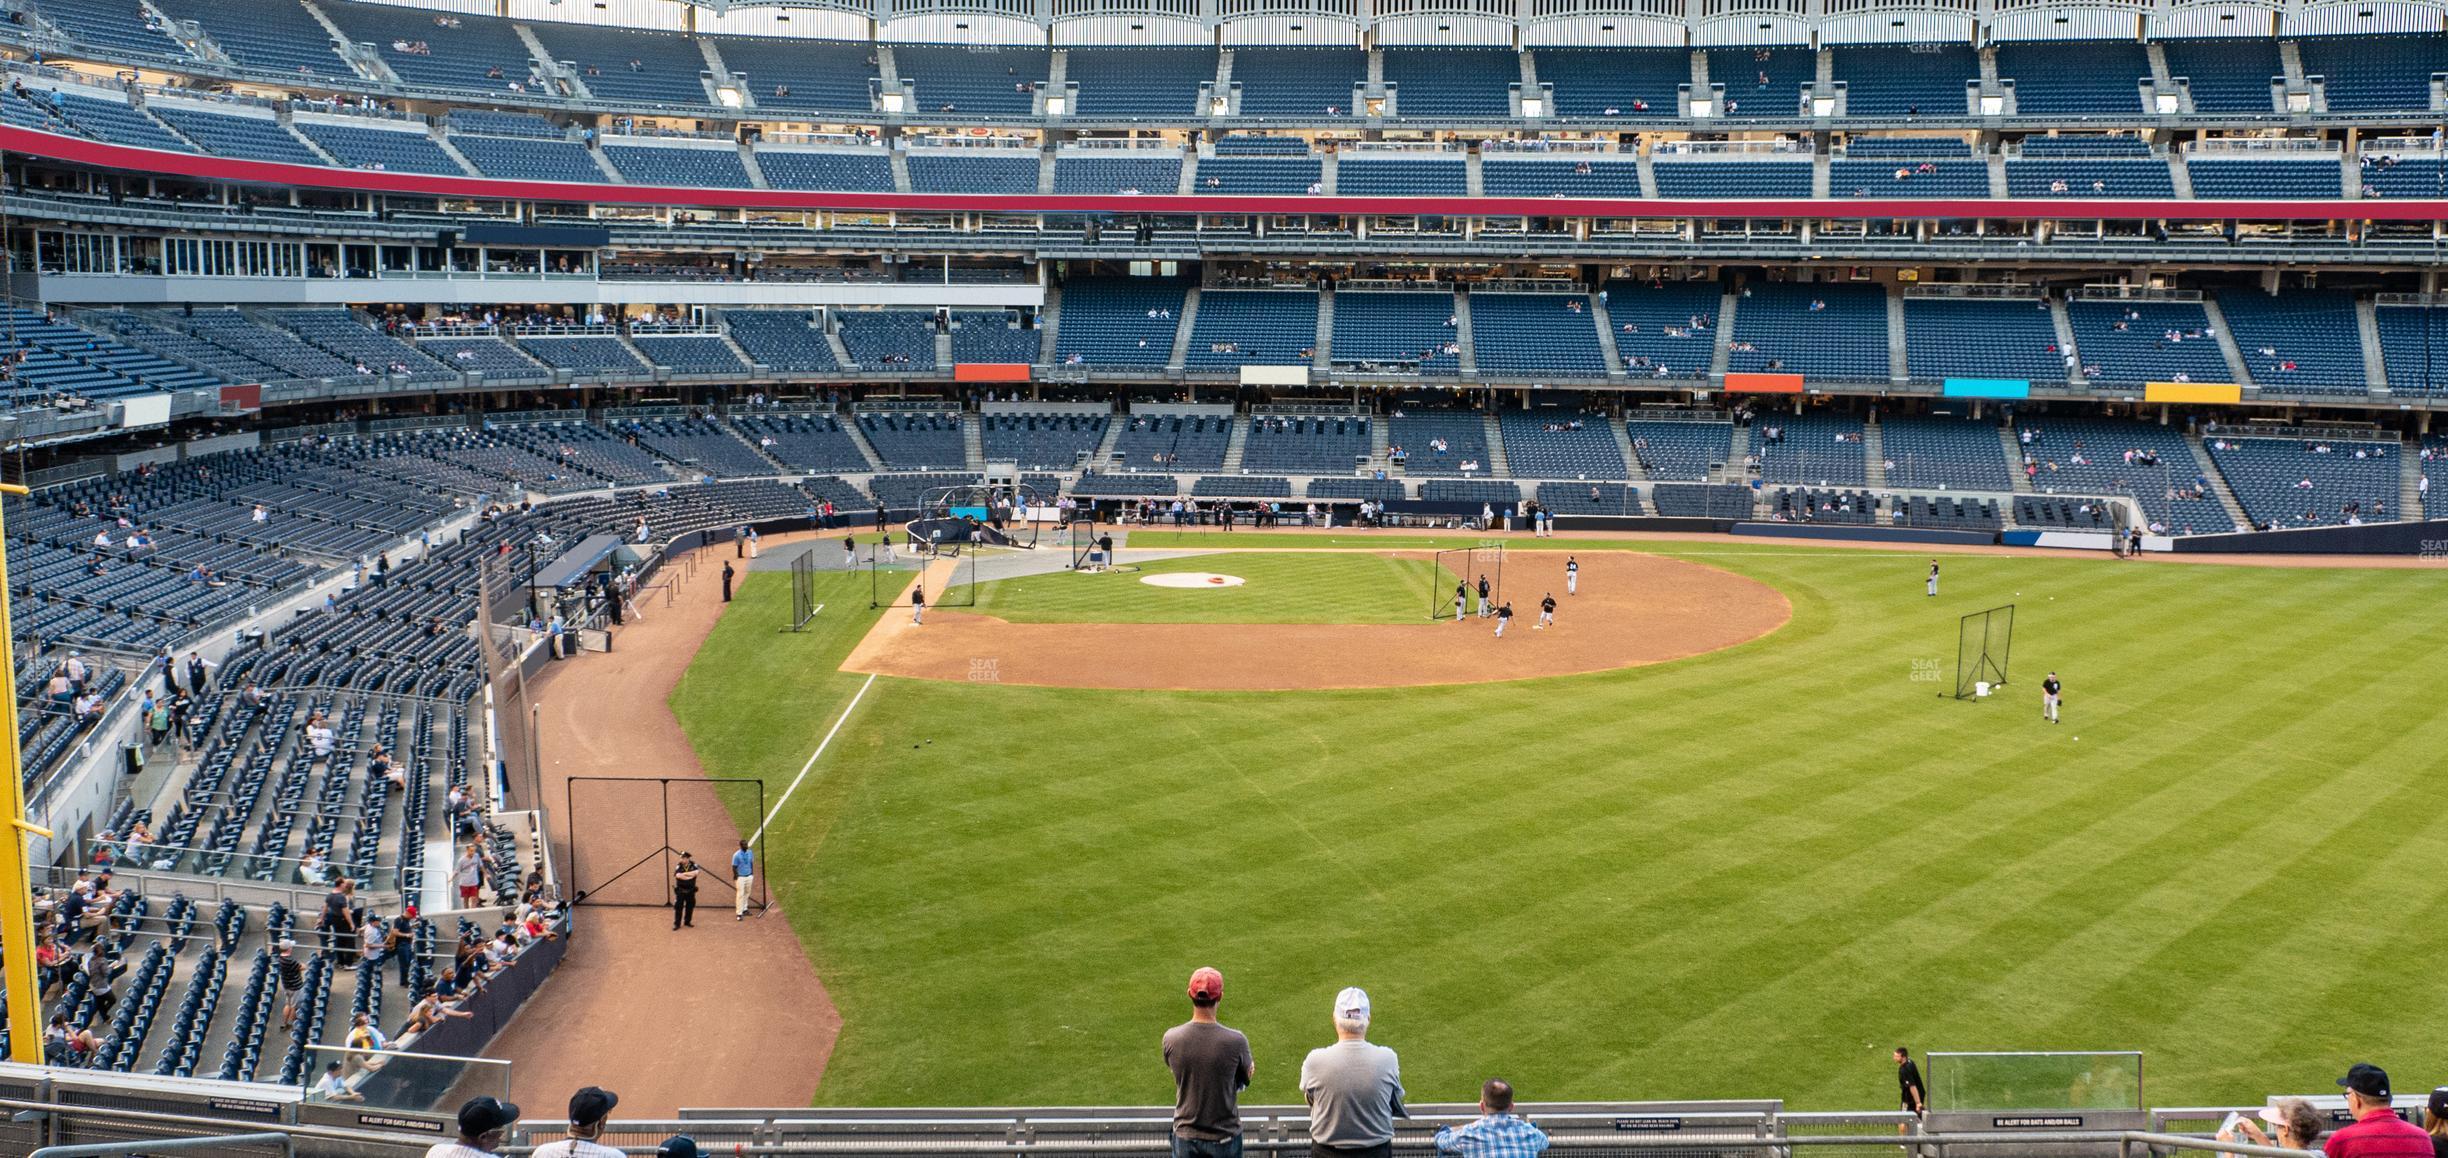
x: 1742, y: 875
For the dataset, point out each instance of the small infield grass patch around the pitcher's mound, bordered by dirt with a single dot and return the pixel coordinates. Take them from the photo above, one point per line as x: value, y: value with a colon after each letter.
x: 1279, y: 589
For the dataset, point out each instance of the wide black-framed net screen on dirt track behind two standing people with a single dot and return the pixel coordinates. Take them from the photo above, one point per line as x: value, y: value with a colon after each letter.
x: 640, y: 826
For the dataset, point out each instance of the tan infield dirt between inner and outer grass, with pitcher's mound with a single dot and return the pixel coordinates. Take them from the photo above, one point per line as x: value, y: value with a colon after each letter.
x: 1632, y: 611
